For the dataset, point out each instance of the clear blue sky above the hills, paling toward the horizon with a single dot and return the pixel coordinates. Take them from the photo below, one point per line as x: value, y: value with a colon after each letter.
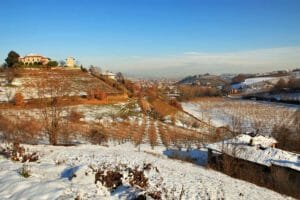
x: 136, y: 36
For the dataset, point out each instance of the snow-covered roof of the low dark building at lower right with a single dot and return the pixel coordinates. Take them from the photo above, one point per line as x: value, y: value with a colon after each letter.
x: 241, y: 148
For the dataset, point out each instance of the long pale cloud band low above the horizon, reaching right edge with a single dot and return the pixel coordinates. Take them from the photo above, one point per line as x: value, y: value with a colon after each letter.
x: 200, y: 62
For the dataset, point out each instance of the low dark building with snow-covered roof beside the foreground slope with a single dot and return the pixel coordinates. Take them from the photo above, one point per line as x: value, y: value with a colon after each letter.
x: 270, y: 167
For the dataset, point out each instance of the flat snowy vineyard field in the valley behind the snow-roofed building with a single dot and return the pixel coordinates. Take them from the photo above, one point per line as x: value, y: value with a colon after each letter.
x: 252, y: 116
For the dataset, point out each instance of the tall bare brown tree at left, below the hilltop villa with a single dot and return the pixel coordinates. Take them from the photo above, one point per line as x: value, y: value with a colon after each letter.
x: 53, y: 90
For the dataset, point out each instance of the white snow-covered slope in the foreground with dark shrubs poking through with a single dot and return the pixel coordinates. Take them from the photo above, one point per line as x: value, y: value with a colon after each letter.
x: 68, y: 172
